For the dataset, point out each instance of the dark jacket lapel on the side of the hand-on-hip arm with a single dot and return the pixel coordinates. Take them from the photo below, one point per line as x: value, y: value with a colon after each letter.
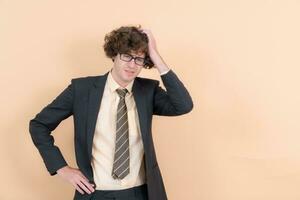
x: 95, y: 96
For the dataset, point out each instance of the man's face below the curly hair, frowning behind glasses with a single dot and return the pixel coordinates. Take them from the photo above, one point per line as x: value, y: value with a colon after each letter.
x: 124, y: 72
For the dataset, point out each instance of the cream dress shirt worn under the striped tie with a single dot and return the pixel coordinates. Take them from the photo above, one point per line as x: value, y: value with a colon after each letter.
x: 105, y: 136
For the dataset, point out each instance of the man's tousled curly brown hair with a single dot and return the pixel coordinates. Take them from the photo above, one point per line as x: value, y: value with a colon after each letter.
x: 126, y: 39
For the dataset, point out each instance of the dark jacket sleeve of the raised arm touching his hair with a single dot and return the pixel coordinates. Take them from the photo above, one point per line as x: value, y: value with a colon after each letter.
x: 175, y: 100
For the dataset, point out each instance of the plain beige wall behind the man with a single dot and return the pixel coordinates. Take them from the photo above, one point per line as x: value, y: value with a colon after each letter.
x: 239, y: 60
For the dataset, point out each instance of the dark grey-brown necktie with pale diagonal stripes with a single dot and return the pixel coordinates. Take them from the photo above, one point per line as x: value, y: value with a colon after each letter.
x: 121, y: 157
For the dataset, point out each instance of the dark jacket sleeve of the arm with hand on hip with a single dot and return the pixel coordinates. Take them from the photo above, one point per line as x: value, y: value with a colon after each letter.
x: 45, y: 122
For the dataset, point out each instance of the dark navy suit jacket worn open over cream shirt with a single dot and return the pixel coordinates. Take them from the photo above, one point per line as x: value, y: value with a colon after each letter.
x: 82, y: 99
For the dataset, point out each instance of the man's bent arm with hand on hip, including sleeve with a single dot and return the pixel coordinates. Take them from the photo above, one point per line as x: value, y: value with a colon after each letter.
x: 40, y: 129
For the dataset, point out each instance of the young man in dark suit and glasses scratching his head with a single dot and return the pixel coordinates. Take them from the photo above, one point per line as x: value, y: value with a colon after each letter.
x: 112, y: 122
